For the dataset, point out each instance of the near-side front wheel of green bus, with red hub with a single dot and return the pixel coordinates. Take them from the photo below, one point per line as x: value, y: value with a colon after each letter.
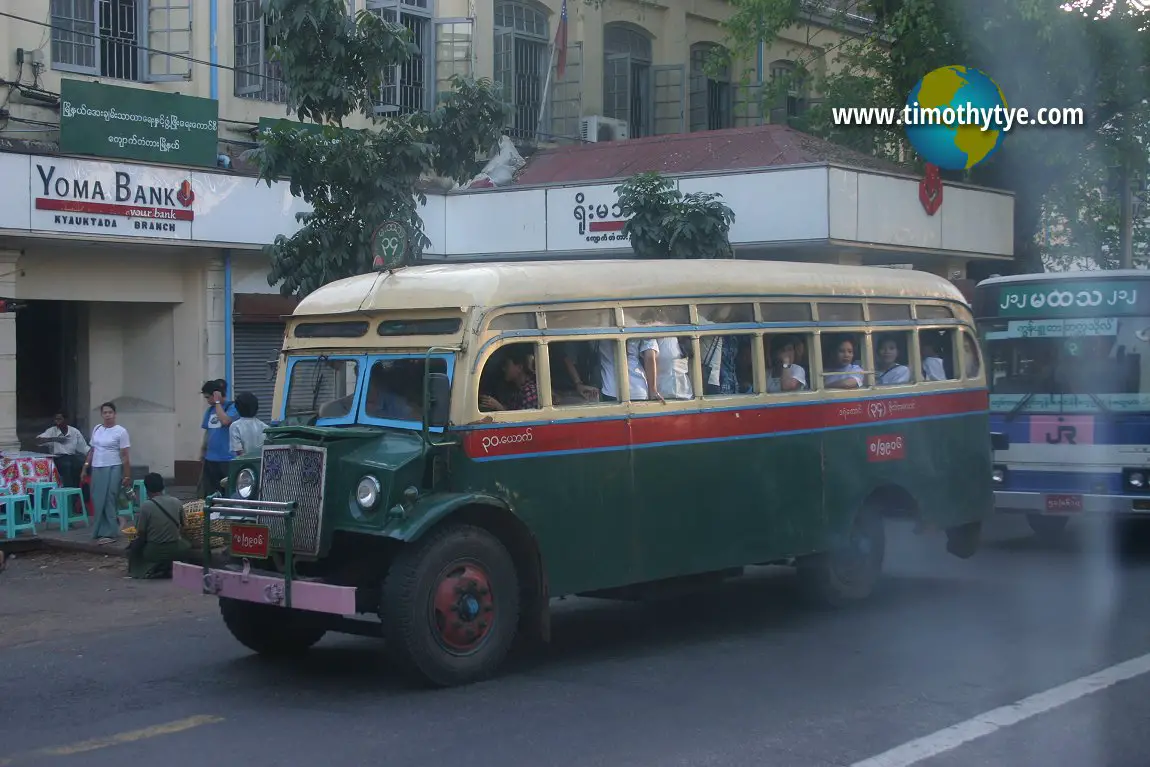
x: 450, y: 607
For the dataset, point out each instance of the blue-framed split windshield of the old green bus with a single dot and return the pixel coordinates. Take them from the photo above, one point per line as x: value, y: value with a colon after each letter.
x: 326, y: 390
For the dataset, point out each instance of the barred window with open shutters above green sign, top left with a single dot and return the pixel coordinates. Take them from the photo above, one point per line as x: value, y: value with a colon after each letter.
x: 108, y: 39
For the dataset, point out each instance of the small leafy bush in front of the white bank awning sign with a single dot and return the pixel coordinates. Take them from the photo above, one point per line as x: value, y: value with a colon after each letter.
x: 665, y: 224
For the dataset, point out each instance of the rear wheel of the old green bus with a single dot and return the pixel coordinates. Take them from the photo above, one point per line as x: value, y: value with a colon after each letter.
x: 852, y: 572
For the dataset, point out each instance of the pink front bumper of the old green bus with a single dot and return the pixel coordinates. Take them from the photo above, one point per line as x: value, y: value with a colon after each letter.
x: 265, y: 589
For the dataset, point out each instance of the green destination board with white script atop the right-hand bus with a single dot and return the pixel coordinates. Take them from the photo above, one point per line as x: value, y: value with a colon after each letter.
x: 1086, y: 298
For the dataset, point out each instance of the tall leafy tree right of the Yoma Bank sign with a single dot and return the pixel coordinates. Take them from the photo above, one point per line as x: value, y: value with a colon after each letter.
x: 356, y: 180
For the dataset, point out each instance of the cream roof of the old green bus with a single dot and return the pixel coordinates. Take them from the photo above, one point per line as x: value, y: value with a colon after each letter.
x: 466, y: 286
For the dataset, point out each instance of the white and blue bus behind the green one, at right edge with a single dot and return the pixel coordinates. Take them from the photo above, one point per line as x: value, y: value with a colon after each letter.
x: 1068, y: 354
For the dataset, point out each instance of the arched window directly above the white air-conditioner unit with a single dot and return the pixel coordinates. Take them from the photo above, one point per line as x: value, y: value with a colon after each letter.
x: 627, y: 78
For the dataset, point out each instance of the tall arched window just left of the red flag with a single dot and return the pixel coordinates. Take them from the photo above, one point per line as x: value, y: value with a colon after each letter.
x: 522, y: 59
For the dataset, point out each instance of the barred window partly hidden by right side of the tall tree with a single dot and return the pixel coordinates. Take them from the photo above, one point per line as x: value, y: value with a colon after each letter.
x: 408, y: 86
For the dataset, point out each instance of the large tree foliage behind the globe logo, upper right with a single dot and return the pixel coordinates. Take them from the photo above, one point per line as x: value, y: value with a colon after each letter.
x: 1090, y: 53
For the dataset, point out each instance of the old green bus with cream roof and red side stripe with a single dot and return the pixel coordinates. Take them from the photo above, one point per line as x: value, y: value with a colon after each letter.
x: 457, y: 446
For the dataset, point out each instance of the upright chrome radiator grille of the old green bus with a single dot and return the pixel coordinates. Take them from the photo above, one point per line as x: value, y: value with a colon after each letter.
x: 296, y: 473
